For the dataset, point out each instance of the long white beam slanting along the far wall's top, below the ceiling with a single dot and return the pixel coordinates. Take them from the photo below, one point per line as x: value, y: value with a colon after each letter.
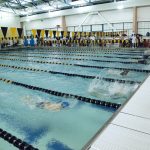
x: 87, y: 9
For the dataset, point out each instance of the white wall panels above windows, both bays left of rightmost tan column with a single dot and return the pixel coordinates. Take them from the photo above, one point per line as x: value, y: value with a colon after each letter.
x: 113, y: 16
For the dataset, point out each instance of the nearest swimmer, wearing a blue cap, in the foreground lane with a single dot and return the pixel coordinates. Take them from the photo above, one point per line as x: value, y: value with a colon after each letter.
x: 45, y: 104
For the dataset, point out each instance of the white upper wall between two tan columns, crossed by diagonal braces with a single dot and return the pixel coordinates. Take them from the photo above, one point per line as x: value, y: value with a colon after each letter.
x: 113, y: 16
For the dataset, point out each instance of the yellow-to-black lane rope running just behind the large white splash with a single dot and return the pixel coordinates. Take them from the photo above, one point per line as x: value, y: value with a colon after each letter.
x: 69, y: 74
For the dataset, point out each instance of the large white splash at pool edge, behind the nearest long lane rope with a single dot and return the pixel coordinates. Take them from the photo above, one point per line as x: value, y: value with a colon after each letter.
x: 102, y: 89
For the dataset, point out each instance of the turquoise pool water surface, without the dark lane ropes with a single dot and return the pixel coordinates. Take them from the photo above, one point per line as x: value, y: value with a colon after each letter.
x: 67, y: 124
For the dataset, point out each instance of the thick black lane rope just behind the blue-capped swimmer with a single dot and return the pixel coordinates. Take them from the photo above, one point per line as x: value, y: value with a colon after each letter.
x: 106, y: 104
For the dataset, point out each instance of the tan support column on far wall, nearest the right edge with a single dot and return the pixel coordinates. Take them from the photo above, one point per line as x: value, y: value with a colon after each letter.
x: 135, y: 24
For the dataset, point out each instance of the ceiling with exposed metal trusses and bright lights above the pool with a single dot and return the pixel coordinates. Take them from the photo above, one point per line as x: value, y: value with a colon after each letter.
x: 31, y: 7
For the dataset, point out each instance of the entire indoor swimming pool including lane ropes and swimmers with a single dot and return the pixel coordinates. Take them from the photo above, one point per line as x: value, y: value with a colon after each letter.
x: 58, y: 100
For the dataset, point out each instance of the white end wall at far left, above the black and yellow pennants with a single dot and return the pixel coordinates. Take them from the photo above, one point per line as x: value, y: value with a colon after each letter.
x: 9, y: 20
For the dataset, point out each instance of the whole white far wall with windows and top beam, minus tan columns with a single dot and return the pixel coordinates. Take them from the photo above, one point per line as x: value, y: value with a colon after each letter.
x: 110, y: 13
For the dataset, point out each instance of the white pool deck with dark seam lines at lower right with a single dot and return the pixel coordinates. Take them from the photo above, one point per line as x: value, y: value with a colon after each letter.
x: 130, y: 128
